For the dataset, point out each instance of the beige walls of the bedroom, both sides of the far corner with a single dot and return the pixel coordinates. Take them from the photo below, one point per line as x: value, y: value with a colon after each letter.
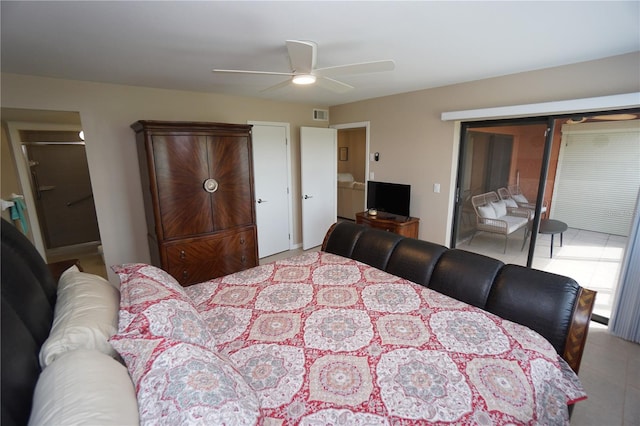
x: 415, y: 146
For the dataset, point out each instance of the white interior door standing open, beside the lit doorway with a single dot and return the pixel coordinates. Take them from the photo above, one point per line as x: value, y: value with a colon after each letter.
x: 318, y: 169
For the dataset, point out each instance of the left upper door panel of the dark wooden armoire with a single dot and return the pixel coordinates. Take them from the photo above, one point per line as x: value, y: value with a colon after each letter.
x: 181, y: 169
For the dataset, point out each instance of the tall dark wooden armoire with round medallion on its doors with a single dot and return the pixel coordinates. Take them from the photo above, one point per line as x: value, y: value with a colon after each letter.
x: 198, y: 193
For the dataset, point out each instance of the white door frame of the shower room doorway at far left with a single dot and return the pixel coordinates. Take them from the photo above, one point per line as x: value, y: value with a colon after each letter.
x: 24, y: 176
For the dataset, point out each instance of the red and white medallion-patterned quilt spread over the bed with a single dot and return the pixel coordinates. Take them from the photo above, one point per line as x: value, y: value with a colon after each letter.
x: 323, y: 339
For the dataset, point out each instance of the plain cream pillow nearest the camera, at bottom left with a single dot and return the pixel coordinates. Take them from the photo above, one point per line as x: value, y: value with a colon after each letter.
x: 84, y: 387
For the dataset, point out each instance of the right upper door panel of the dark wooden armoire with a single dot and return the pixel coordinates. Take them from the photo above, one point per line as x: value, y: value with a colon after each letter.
x: 231, y: 168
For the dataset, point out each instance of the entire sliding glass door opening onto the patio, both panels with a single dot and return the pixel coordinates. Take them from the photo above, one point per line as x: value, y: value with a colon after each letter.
x: 580, y: 177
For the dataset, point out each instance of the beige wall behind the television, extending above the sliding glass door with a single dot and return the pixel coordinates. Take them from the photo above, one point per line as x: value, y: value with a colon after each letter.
x: 418, y: 148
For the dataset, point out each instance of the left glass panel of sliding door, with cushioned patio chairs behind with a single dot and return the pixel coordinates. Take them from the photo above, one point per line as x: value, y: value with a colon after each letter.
x: 500, y: 164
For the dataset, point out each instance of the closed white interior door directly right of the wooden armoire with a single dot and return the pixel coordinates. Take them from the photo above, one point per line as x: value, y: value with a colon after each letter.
x: 271, y: 178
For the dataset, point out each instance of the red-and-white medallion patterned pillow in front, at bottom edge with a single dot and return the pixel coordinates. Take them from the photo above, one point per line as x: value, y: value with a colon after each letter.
x: 182, y: 383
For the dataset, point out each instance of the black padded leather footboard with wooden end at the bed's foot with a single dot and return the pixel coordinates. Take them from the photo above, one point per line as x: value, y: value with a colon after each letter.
x: 553, y: 305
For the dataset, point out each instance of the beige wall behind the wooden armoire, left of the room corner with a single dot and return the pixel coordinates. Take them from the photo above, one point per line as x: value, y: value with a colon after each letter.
x: 107, y: 111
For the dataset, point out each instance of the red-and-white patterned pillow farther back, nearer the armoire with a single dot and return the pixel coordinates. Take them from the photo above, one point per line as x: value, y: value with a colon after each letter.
x: 153, y: 303
